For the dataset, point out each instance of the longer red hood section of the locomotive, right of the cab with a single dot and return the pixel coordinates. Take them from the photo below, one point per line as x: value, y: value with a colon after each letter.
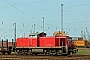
x: 53, y: 41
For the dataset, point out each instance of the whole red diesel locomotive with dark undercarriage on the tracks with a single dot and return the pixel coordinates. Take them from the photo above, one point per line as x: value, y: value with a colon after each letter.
x: 47, y: 45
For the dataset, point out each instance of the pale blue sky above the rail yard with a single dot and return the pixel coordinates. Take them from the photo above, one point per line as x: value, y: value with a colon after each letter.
x: 26, y: 13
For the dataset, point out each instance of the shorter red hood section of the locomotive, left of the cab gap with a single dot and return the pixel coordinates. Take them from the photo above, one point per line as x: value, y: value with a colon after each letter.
x: 26, y: 42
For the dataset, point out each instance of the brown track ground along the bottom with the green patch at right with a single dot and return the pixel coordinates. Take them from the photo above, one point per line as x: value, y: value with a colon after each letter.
x: 82, y: 54
